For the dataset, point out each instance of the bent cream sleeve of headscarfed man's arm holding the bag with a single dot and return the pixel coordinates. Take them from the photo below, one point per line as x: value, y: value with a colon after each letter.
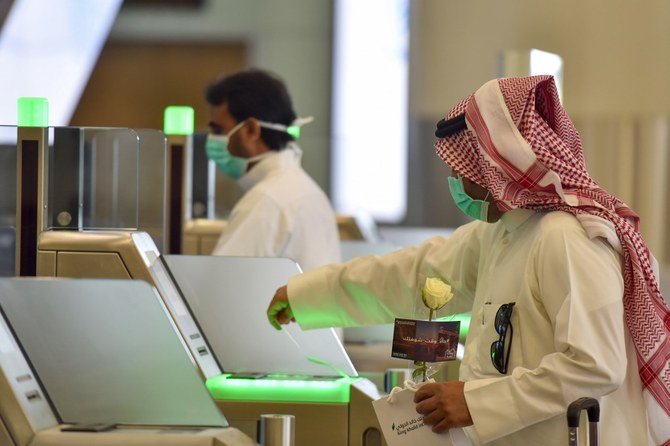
x: 579, y: 283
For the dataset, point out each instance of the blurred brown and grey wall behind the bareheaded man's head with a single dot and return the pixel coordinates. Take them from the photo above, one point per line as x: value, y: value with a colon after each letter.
x: 183, y: 47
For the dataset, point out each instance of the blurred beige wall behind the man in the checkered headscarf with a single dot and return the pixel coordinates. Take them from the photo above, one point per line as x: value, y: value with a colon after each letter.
x: 616, y: 88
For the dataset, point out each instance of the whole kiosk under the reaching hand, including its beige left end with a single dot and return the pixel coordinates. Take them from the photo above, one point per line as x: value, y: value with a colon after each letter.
x: 218, y: 305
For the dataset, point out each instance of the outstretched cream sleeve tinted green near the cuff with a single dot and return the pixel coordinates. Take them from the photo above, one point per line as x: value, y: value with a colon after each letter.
x: 374, y: 290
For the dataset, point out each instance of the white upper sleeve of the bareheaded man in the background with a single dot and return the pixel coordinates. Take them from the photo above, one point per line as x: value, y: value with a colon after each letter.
x: 256, y: 228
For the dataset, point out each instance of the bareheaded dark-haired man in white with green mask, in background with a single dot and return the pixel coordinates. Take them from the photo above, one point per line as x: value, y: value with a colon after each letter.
x: 283, y: 212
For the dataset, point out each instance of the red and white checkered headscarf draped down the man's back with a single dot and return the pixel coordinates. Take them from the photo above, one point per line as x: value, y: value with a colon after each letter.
x: 521, y: 145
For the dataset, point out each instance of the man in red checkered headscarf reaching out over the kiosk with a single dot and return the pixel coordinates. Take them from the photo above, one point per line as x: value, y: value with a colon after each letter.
x: 565, y: 303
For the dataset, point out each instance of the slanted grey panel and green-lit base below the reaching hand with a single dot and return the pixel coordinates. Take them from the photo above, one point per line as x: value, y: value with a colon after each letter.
x: 304, y: 373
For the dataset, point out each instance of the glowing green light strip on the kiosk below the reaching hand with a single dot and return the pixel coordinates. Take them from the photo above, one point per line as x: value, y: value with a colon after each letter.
x: 223, y: 387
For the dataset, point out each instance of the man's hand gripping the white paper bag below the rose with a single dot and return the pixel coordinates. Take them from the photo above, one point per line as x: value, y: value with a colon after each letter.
x: 443, y: 405
